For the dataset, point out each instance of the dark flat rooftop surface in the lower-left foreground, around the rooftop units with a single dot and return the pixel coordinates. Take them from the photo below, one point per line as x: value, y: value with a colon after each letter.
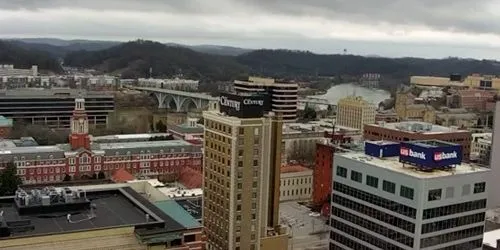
x: 113, y: 208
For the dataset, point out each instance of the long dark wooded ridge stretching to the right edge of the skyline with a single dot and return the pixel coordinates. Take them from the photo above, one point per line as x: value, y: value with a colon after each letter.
x: 286, y: 63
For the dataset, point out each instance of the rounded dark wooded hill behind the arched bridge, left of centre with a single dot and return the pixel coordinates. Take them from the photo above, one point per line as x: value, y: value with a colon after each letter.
x: 133, y: 59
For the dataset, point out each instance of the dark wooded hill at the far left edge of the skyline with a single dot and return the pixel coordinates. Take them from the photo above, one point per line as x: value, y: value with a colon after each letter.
x: 11, y: 53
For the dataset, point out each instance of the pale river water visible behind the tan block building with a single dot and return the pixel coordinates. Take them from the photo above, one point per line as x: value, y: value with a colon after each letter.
x: 337, y: 92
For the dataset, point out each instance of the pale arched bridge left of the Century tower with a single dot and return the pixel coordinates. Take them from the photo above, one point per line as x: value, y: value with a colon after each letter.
x: 179, y: 100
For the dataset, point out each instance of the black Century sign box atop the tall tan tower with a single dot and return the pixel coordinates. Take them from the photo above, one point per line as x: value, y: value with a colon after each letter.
x: 244, y: 106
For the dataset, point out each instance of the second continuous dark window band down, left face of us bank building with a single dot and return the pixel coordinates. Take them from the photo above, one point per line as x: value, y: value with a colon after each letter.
x: 373, y: 213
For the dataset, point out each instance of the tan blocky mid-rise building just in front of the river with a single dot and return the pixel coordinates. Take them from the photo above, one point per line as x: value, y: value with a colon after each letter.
x: 354, y: 112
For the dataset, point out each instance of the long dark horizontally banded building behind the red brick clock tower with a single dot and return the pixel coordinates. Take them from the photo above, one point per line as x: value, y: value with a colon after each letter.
x: 54, y: 107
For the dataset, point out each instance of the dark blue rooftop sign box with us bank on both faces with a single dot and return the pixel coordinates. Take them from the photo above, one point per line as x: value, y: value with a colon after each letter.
x: 430, y: 154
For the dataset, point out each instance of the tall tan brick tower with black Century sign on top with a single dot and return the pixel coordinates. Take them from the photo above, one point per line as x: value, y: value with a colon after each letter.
x: 242, y: 175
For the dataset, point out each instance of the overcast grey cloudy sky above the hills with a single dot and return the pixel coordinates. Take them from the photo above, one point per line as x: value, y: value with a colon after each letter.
x: 395, y: 28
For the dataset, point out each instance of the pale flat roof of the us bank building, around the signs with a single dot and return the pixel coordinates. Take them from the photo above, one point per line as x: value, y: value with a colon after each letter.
x: 393, y: 164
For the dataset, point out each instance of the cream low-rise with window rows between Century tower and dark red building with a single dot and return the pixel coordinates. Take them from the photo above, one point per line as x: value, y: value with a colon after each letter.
x: 295, y: 183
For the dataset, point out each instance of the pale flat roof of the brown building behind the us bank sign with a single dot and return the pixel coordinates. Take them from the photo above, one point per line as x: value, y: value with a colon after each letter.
x: 418, y: 127
